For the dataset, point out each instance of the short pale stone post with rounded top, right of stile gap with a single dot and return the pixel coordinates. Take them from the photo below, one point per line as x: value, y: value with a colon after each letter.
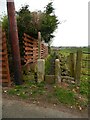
x: 57, y: 71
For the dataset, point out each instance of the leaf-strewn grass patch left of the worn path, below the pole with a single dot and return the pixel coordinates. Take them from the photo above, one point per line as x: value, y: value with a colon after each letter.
x: 29, y: 89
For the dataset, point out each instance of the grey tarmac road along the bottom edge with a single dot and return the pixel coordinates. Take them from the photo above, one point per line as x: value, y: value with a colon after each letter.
x: 14, y: 108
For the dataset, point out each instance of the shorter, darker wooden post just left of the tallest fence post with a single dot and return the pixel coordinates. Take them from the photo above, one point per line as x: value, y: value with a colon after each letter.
x: 71, y: 64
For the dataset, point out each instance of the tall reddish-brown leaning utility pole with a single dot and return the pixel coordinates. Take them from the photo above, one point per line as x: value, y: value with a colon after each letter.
x: 14, y: 42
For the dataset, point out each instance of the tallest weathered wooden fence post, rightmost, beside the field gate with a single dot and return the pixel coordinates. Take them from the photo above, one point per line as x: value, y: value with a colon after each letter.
x: 78, y: 67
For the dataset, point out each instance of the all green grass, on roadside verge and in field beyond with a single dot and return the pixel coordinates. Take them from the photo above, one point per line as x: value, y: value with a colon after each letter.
x: 70, y: 95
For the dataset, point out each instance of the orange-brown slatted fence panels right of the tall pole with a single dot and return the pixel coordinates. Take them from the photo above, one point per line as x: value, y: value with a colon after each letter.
x: 31, y: 49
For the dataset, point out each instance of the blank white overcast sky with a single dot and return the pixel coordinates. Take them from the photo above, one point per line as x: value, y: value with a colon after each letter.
x: 73, y: 14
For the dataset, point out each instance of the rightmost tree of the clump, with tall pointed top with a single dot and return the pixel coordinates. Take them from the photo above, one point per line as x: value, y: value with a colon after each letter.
x: 49, y: 23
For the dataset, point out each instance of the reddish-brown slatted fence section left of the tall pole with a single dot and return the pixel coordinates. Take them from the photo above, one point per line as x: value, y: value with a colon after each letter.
x: 4, y: 66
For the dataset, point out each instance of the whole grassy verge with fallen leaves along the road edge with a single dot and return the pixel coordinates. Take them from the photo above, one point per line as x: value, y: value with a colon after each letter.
x: 41, y: 91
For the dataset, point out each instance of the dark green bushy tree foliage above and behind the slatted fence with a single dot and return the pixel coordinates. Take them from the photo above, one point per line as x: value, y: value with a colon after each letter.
x: 31, y: 22
